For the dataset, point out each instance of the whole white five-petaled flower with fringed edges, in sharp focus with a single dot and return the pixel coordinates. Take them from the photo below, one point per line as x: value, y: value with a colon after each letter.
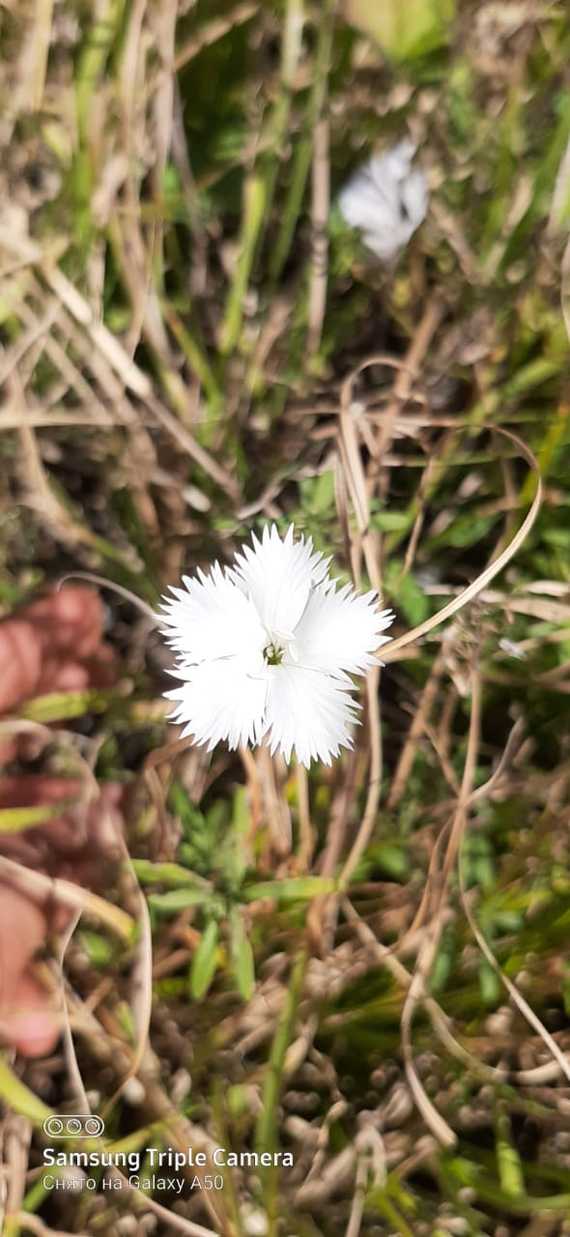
x: 265, y: 650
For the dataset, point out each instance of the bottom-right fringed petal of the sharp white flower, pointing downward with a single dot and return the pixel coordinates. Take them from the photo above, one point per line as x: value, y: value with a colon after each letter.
x: 311, y: 712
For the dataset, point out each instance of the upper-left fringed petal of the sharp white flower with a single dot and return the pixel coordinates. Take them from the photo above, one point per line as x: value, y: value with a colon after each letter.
x: 211, y: 618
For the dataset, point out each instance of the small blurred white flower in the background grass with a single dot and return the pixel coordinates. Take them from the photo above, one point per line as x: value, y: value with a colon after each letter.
x: 386, y: 200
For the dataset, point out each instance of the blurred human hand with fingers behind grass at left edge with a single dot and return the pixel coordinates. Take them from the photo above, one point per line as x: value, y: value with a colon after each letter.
x: 54, y: 645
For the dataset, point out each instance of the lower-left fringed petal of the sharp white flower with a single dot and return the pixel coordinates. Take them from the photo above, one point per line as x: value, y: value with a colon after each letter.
x: 222, y: 701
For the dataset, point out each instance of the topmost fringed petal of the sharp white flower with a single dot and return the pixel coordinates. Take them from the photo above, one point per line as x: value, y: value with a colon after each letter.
x: 278, y: 577
